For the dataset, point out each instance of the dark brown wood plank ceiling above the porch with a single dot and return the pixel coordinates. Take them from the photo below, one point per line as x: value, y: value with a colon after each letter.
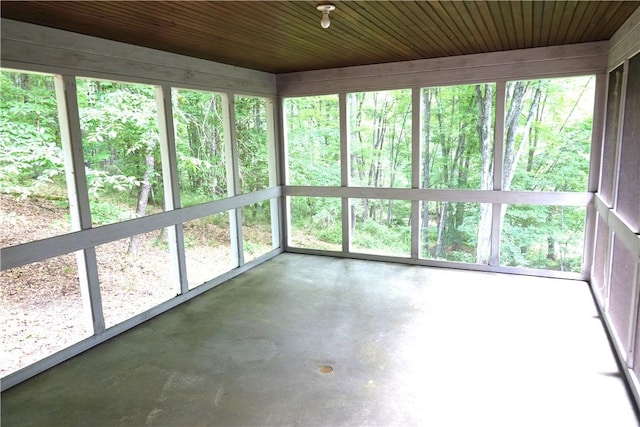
x: 285, y: 36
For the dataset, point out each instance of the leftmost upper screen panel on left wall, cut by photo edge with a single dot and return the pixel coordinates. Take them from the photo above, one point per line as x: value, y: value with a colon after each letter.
x: 33, y: 190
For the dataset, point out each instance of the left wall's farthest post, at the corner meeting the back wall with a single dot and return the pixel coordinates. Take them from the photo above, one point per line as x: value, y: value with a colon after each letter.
x: 274, y: 169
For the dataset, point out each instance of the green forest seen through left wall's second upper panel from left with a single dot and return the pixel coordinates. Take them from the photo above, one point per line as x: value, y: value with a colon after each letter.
x: 121, y: 147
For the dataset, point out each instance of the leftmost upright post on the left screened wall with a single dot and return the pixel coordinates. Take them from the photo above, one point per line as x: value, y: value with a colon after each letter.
x: 80, y: 211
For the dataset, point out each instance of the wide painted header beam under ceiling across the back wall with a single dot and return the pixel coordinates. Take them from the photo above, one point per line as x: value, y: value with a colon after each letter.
x: 545, y: 62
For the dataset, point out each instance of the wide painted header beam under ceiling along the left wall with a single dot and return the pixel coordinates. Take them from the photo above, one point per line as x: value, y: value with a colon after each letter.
x: 36, y: 48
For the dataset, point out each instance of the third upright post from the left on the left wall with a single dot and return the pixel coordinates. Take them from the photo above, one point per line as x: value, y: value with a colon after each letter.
x: 233, y: 177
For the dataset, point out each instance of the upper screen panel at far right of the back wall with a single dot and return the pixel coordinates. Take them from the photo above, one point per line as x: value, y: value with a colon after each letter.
x: 547, y: 136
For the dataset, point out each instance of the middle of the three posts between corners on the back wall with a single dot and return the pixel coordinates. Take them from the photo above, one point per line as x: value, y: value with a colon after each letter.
x: 416, y: 144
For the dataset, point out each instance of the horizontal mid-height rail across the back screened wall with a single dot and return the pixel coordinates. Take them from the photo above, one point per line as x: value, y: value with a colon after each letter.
x: 421, y: 194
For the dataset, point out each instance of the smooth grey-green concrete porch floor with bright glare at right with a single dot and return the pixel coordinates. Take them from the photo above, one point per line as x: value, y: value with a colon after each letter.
x: 407, y: 345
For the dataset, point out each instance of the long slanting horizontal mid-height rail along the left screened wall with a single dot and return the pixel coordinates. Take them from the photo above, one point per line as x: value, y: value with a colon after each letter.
x: 15, y: 256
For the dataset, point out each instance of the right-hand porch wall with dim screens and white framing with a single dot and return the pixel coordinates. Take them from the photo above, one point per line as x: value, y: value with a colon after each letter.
x: 615, y: 277
